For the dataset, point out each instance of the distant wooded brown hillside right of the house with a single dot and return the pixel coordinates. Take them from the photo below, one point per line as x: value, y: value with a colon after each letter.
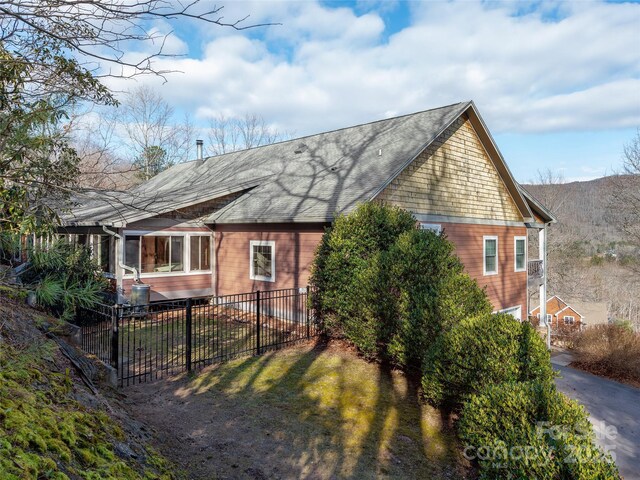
x: 592, y: 256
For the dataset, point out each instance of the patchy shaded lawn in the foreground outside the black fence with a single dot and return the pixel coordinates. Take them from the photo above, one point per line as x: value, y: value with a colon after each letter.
x: 303, y: 412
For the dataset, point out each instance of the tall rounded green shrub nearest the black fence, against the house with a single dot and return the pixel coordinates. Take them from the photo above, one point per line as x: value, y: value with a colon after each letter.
x: 349, y: 278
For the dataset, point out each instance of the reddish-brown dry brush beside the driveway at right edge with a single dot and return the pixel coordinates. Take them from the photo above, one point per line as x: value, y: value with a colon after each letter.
x: 609, y: 350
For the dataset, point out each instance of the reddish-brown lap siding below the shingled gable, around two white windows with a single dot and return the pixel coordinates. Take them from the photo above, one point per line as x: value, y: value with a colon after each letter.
x: 506, y: 289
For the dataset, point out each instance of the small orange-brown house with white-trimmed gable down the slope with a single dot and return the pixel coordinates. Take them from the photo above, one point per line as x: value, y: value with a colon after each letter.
x: 572, y: 315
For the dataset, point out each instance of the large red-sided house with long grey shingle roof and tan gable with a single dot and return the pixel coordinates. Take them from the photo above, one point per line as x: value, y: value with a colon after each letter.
x: 251, y: 220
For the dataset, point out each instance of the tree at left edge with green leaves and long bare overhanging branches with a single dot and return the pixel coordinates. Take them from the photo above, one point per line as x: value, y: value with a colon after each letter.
x: 54, y: 54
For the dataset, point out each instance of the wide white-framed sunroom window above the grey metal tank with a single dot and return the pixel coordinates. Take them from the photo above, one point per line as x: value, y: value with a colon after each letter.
x: 154, y: 254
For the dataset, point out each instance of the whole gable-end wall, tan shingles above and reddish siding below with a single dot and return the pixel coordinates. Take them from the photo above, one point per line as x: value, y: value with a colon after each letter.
x: 455, y: 178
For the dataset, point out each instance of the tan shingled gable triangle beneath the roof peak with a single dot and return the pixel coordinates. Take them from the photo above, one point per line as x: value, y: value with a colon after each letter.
x: 453, y: 177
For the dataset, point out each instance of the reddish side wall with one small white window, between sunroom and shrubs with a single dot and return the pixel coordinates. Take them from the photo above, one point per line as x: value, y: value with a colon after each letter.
x: 295, y: 246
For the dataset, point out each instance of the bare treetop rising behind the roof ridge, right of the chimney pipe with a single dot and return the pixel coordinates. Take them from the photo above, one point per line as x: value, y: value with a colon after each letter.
x: 231, y: 134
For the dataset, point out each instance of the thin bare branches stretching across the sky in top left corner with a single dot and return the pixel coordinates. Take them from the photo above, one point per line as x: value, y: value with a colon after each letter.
x: 97, y: 33
